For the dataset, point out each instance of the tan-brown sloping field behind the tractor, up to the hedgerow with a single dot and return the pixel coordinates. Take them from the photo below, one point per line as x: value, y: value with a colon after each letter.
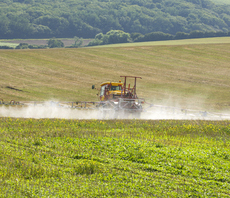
x: 187, y: 74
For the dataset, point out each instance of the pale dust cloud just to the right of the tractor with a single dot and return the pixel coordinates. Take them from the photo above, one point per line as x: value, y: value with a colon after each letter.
x: 187, y: 109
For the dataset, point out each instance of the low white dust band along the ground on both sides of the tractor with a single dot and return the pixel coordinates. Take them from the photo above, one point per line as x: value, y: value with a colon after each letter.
x: 156, y: 112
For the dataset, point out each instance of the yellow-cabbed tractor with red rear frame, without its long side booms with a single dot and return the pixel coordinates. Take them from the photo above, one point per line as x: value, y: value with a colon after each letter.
x: 119, y: 99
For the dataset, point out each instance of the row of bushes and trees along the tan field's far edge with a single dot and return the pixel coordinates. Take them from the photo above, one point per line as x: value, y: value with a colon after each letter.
x: 119, y: 36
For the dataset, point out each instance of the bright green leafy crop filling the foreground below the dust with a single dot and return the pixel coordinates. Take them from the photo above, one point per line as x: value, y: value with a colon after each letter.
x: 114, y: 158
